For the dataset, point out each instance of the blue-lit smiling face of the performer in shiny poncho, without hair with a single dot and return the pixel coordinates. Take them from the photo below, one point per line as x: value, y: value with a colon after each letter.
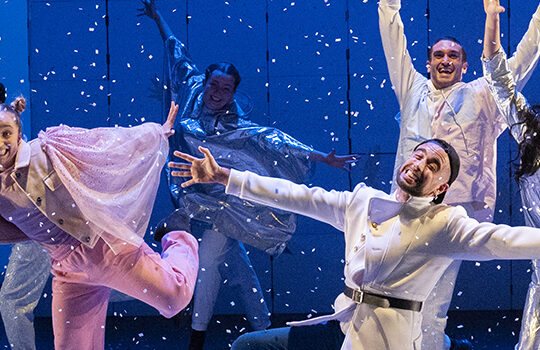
x: 219, y: 90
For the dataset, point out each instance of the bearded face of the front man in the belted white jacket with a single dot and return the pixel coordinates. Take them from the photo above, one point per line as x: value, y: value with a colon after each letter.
x: 426, y: 172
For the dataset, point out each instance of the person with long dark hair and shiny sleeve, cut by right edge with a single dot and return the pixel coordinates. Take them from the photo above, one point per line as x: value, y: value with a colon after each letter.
x: 524, y: 123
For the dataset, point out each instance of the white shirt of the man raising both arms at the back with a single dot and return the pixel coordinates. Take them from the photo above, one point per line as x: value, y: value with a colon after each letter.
x: 464, y: 114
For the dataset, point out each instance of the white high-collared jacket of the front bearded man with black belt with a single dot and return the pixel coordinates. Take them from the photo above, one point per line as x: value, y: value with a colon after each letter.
x: 391, y: 248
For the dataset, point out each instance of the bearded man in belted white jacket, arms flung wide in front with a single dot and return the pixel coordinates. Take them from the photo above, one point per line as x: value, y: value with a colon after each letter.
x: 397, y: 245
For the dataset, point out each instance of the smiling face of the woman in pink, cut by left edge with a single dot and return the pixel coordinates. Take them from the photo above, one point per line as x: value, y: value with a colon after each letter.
x: 10, y: 137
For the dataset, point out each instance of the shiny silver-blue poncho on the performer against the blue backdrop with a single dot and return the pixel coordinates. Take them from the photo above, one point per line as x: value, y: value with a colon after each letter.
x: 237, y: 143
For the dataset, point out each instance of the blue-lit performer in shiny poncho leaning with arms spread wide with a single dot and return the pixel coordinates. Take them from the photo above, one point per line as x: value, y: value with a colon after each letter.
x: 211, y: 116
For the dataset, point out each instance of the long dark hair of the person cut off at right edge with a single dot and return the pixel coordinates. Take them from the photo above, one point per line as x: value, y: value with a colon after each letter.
x: 527, y: 161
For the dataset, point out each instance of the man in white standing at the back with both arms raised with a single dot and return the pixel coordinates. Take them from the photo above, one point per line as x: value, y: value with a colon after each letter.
x: 465, y: 115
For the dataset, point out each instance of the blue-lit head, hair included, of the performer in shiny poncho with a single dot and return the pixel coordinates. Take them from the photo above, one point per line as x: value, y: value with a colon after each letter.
x: 220, y: 83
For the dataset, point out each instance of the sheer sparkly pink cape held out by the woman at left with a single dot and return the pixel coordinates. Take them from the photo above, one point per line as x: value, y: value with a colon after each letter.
x: 111, y: 173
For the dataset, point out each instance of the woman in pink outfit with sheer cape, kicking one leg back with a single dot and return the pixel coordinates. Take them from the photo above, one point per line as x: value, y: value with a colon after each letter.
x: 86, y: 195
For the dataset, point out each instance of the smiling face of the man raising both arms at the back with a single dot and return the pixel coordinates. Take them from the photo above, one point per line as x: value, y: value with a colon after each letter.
x: 446, y: 65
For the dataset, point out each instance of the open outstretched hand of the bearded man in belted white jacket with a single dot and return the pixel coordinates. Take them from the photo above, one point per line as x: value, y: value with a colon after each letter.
x: 200, y: 170
